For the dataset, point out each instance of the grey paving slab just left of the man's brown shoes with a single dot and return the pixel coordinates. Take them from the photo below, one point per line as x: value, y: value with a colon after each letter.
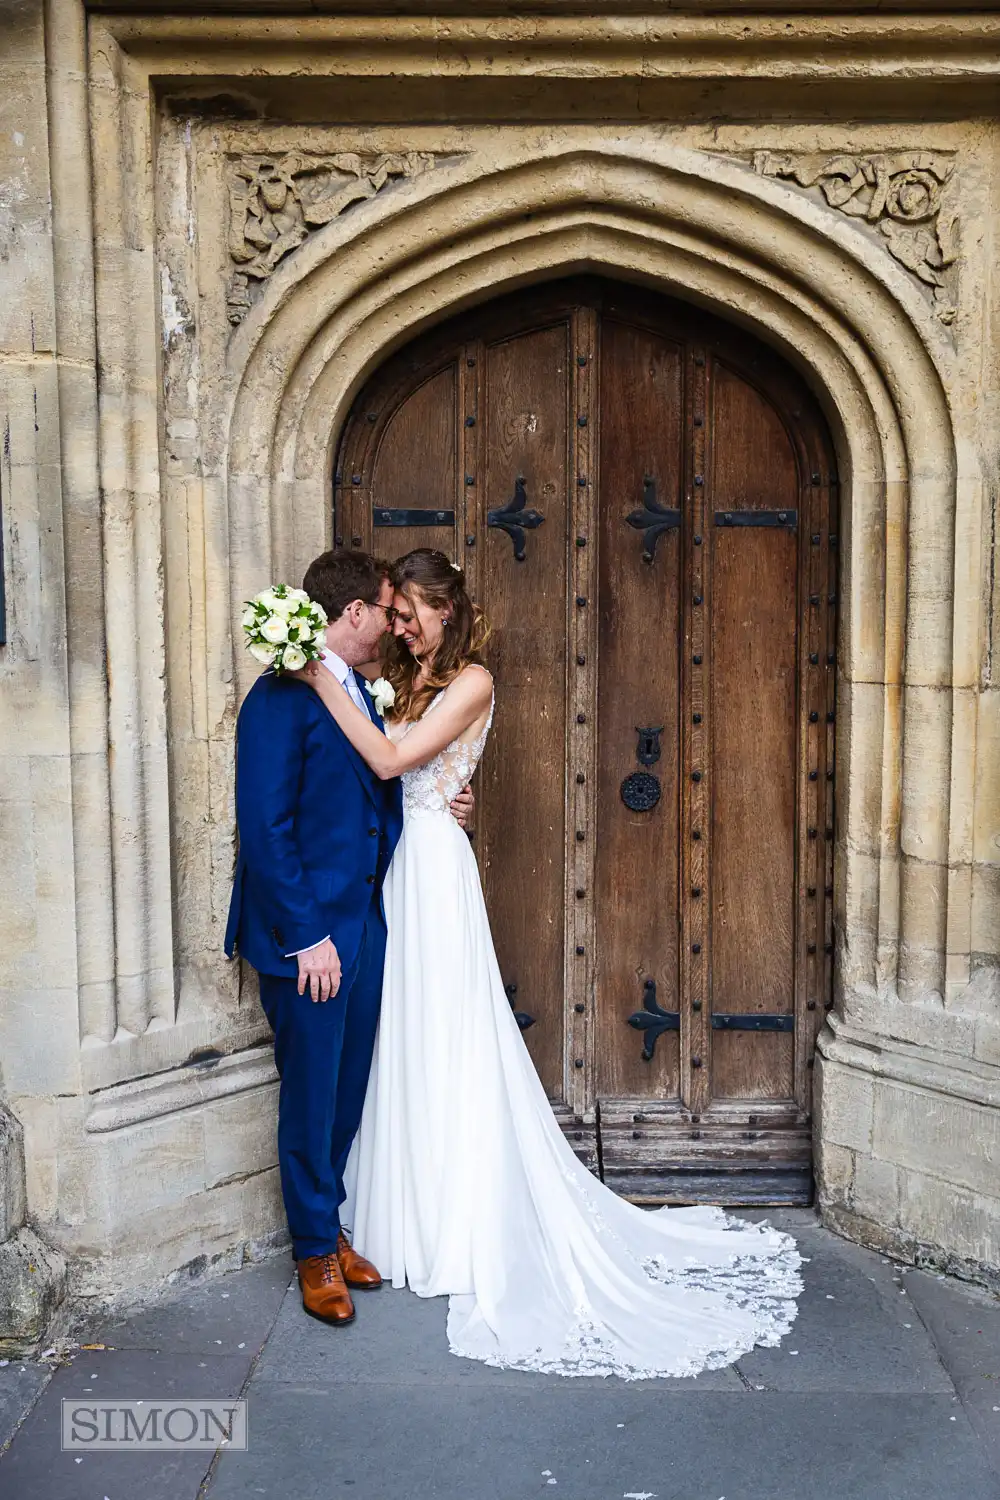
x: 215, y: 1316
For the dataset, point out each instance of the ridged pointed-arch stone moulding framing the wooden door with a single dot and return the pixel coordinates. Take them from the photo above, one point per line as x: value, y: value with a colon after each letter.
x: 708, y: 230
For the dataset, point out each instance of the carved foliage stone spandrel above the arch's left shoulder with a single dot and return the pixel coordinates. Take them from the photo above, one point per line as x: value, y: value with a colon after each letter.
x: 275, y: 202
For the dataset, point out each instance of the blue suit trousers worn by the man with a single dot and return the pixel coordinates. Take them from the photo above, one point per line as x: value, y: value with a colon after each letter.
x: 323, y: 1052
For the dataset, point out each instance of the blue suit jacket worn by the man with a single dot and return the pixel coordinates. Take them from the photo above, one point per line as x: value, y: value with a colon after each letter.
x: 317, y: 830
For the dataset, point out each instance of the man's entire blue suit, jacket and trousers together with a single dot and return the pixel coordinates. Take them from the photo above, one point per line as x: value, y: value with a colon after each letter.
x: 317, y: 833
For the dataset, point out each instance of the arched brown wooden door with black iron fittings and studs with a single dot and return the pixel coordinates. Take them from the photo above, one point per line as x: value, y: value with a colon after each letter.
x: 645, y: 502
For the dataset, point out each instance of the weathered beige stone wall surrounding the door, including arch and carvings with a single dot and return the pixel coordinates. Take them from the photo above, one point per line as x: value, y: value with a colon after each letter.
x: 202, y: 271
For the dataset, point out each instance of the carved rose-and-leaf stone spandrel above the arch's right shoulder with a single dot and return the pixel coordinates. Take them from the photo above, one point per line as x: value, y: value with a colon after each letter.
x: 902, y: 194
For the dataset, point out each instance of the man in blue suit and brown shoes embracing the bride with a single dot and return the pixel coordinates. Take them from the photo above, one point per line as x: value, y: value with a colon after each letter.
x: 317, y: 833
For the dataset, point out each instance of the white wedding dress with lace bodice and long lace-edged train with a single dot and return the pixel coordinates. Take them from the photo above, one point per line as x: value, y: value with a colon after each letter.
x: 461, y: 1181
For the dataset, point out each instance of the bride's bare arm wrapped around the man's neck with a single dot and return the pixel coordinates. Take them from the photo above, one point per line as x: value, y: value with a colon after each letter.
x: 469, y: 700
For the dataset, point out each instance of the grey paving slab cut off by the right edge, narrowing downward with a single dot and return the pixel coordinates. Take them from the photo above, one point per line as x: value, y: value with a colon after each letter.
x: 965, y: 1324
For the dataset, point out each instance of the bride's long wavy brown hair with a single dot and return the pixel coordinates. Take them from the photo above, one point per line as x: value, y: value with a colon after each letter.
x: 431, y: 578
